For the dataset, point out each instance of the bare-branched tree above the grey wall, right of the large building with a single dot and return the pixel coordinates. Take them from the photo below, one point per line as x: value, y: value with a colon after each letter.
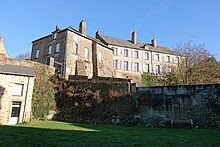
x: 198, y: 66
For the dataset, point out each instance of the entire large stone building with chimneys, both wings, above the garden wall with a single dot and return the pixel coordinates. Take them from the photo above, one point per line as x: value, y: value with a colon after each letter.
x: 73, y: 52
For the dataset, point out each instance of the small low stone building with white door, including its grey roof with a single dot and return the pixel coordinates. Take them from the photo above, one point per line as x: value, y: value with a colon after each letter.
x: 16, y: 88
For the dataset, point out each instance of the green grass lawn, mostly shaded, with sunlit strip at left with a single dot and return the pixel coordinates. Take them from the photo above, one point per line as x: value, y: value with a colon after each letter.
x: 52, y: 133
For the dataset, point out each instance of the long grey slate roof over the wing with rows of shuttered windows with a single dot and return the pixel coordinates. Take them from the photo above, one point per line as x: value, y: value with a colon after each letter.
x: 139, y: 45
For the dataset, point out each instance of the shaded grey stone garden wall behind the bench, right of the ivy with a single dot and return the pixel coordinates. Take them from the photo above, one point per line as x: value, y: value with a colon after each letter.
x: 159, y: 105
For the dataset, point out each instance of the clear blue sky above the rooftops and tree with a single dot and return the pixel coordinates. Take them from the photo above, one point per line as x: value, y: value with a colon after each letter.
x: 169, y: 21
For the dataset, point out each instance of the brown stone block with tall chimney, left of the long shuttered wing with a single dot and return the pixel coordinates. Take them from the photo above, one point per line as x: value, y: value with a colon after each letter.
x: 73, y: 52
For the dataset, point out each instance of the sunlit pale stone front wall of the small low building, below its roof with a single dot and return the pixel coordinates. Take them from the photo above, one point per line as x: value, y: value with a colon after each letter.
x: 8, y: 97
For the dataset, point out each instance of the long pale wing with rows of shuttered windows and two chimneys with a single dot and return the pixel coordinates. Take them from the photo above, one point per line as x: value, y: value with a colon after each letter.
x: 131, y: 58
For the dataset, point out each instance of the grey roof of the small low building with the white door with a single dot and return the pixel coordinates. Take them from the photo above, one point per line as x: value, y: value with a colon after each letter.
x: 17, y: 70
